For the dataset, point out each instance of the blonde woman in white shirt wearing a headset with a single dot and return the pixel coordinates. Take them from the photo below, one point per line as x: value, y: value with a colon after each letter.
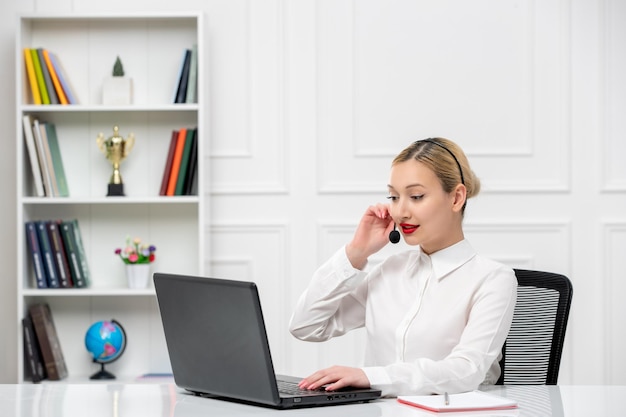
x: 436, y: 317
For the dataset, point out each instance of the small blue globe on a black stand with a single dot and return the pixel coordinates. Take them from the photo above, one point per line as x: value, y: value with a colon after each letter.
x: 106, y: 341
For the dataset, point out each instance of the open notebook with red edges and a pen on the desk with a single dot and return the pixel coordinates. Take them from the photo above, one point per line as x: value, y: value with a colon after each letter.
x: 467, y: 401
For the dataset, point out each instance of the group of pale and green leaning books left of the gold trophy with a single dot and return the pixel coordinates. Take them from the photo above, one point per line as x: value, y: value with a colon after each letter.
x: 45, y: 159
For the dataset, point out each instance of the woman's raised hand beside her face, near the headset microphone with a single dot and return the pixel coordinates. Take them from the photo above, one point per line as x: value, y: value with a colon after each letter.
x: 371, y: 235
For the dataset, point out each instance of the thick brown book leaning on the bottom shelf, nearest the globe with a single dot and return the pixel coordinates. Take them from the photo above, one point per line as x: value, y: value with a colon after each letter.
x: 48, y: 339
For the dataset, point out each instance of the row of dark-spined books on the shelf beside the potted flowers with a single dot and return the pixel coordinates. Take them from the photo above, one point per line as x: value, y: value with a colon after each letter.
x: 57, y: 254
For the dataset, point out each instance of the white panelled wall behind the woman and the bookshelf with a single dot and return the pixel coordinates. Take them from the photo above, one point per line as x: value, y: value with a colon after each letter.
x: 310, y: 100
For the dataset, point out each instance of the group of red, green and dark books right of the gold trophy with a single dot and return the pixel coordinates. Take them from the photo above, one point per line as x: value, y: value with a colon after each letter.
x: 180, y: 172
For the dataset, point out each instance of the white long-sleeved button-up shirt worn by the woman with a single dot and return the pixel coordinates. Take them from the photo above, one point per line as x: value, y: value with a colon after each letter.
x: 434, y: 323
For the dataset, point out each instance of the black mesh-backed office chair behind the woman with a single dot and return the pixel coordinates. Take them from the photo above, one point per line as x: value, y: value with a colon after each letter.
x: 531, y: 354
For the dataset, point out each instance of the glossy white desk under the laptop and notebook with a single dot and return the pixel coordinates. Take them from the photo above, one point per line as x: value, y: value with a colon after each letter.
x: 166, y: 400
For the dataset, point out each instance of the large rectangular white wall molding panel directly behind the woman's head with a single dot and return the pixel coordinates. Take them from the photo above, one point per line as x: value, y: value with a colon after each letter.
x: 358, y: 67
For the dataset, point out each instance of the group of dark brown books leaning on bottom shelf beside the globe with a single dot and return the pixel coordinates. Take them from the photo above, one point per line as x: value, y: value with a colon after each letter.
x: 42, y: 350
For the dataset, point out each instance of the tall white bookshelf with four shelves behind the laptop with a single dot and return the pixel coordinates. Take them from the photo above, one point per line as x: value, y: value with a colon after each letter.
x: 150, y: 46
